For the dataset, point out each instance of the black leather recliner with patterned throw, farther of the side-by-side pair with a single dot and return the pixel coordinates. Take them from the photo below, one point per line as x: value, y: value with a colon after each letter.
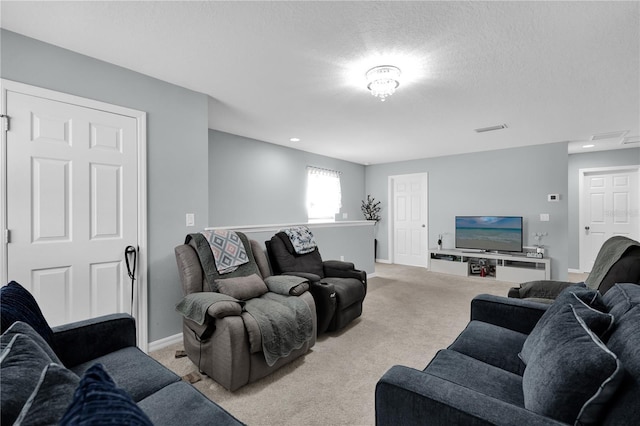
x: 337, y: 287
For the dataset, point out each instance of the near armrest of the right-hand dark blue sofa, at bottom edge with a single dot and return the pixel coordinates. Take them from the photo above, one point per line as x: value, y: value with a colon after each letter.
x: 405, y: 396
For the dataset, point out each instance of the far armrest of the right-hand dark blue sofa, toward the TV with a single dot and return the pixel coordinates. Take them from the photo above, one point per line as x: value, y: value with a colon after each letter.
x: 514, y: 314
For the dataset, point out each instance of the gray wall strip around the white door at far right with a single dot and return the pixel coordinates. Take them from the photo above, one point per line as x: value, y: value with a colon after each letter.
x: 617, y: 157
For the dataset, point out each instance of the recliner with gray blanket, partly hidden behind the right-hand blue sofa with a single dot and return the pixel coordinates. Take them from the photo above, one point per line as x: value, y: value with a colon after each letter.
x: 618, y: 261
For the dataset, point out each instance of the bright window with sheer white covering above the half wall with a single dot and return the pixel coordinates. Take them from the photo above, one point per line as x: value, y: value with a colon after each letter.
x: 324, y: 196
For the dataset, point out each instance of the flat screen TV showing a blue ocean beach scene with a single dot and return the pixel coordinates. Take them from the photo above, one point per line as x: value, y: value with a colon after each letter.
x: 489, y: 233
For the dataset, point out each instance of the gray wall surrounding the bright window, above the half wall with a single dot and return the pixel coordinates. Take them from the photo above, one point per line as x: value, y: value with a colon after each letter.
x: 254, y: 183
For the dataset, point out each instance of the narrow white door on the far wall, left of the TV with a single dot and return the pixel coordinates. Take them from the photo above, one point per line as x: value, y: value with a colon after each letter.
x: 410, y: 219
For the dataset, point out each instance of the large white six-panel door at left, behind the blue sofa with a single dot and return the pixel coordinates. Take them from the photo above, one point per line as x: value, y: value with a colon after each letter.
x: 72, y: 203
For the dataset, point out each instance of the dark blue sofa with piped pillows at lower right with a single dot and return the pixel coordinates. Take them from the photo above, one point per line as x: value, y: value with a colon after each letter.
x: 582, y: 366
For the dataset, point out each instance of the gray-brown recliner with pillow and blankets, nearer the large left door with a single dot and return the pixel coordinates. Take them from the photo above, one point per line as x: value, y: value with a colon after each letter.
x: 222, y: 338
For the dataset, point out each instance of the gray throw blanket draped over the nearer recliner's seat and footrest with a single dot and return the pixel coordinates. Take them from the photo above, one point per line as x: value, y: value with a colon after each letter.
x: 285, y: 324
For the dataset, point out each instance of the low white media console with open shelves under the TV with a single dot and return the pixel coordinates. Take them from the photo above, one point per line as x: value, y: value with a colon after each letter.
x: 503, y: 267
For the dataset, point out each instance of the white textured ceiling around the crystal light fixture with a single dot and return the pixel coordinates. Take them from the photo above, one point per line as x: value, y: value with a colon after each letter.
x: 552, y: 71
